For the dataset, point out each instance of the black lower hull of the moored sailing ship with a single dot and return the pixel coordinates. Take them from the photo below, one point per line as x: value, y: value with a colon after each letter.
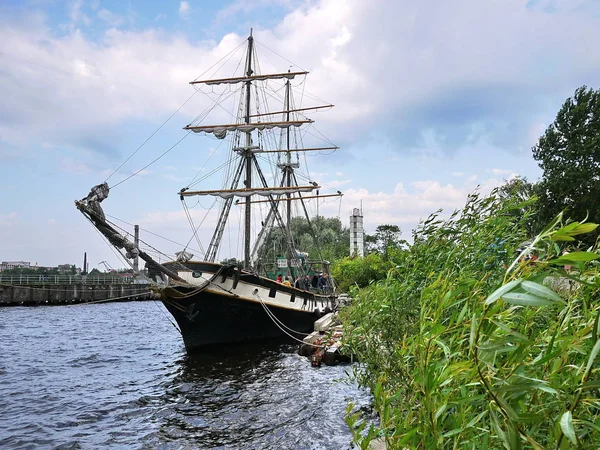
x: 207, y: 319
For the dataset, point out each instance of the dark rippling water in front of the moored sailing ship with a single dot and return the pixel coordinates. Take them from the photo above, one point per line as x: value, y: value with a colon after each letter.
x: 117, y: 376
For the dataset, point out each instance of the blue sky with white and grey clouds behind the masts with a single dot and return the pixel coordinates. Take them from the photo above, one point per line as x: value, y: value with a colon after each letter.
x: 432, y: 101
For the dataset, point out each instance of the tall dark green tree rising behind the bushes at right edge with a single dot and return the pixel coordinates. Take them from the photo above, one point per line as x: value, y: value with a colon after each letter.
x: 569, y: 155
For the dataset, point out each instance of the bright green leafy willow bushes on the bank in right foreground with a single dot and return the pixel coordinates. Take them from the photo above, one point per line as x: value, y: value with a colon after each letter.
x: 467, y: 344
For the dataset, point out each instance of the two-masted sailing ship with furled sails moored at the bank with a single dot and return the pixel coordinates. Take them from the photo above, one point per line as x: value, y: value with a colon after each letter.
x: 223, y: 302
